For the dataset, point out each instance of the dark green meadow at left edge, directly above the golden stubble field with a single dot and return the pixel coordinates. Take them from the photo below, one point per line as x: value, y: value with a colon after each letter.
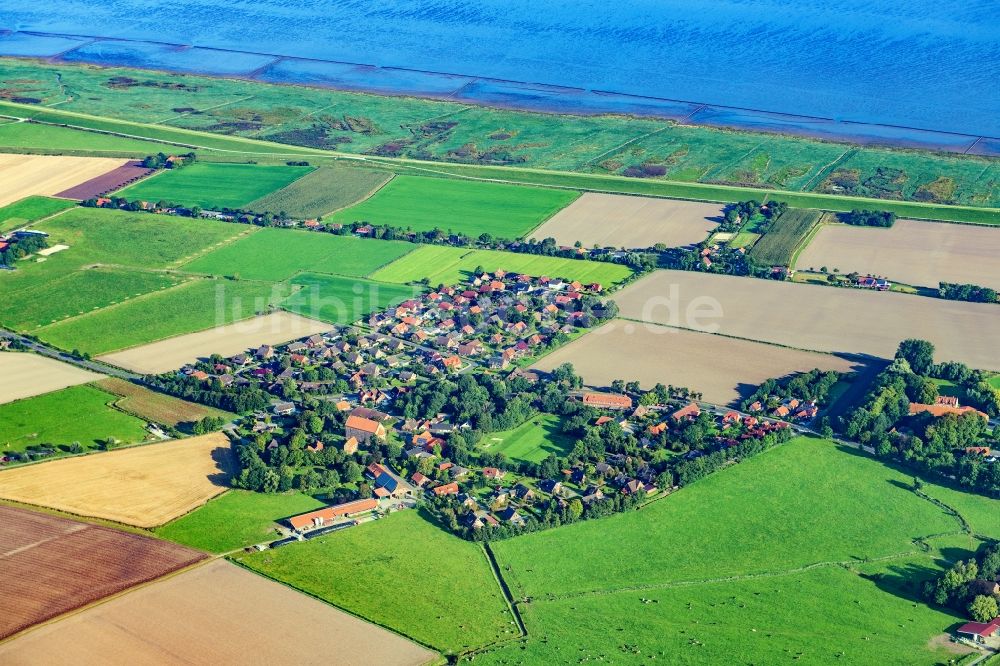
x: 76, y: 414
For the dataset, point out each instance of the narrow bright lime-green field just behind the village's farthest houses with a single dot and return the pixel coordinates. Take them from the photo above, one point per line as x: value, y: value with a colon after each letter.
x: 451, y: 265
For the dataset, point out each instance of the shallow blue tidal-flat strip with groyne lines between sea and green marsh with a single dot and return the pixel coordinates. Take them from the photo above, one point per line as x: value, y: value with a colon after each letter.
x: 497, y: 93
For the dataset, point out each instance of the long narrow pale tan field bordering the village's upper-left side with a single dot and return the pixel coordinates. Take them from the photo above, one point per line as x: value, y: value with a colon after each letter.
x: 227, y: 340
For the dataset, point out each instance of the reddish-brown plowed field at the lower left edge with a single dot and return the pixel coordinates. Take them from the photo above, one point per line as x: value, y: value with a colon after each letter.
x: 51, y: 565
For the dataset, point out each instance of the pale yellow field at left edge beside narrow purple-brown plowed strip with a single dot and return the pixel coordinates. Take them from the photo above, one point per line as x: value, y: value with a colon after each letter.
x: 25, y: 175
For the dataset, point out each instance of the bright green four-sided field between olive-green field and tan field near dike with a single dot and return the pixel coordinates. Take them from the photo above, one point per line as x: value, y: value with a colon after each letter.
x: 466, y: 207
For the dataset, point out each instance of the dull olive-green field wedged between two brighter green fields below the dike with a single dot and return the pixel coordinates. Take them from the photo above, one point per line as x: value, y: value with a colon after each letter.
x: 326, y: 189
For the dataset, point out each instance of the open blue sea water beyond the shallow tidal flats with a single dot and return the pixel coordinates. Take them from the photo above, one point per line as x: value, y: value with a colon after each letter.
x: 929, y: 64
